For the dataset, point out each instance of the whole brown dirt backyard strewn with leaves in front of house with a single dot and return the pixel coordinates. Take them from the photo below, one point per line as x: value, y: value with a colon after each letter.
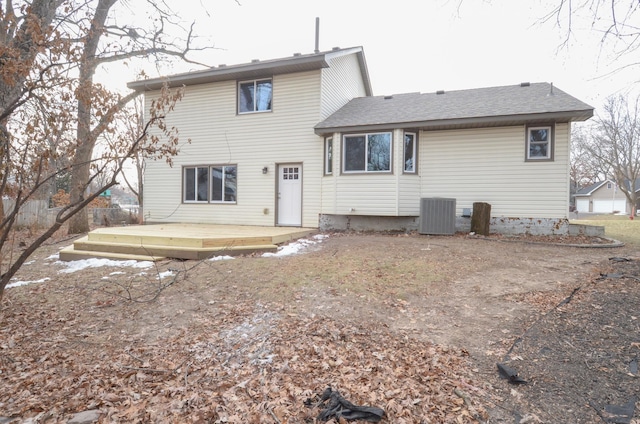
x: 408, y: 323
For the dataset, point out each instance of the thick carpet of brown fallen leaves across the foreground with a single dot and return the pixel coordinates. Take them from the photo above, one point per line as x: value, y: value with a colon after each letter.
x: 245, y: 364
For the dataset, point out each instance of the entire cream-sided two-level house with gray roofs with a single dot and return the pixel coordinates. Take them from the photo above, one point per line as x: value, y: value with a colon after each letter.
x: 301, y: 141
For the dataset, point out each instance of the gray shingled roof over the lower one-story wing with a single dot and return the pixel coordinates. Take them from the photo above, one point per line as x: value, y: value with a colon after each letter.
x: 514, y: 104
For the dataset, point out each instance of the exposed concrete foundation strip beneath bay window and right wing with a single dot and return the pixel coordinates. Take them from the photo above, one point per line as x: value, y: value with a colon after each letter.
x: 498, y: 225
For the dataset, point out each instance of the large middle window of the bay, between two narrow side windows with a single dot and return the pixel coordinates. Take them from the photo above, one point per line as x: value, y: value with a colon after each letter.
x: 366, y: 152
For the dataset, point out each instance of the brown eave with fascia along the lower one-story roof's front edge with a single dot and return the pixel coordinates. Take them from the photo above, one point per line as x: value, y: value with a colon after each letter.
x: 464, y: 123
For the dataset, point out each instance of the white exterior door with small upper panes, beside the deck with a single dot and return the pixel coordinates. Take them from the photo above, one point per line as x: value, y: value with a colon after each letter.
x: 290, y: 194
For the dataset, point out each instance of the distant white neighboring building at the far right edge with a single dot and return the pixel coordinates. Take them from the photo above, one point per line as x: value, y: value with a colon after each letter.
x: 602, y: 197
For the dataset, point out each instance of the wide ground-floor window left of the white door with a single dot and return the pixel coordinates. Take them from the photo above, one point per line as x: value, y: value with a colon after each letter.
x: 210, y: 184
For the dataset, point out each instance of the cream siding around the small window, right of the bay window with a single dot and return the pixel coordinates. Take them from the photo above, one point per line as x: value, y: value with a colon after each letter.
x: 487, y: 165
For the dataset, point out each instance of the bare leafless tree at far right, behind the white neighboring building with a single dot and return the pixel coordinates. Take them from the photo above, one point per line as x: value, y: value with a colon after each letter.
x: 615, y: 144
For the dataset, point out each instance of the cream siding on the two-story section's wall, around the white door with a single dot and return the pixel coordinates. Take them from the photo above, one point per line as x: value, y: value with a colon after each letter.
x: 207, y: 115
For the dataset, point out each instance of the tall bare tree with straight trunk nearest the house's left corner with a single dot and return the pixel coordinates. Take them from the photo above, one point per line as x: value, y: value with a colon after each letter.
x: 105, y: 40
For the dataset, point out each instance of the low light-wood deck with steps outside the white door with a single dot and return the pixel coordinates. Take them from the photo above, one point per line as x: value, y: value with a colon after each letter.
x: 181, y: 241
